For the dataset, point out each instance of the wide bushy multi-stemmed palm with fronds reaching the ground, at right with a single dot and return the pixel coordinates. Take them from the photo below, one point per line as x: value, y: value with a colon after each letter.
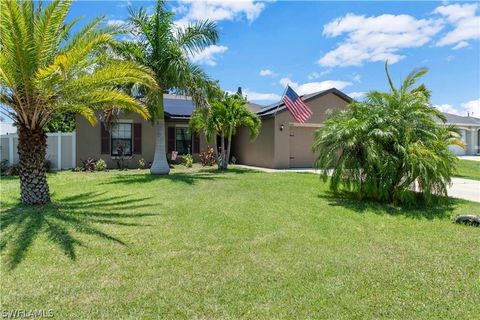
x: 388, y: 145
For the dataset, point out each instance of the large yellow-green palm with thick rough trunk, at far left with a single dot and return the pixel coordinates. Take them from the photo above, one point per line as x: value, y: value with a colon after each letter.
x: 45, y: 71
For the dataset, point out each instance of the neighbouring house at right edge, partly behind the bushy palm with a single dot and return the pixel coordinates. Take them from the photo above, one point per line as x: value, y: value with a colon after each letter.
x: 469, y: 131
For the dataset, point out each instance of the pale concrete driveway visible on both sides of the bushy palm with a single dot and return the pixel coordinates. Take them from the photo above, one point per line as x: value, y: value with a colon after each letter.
x: 460, y: 188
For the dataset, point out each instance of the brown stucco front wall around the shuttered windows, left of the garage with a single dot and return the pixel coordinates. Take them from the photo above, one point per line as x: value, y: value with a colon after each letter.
x: 88, y: 141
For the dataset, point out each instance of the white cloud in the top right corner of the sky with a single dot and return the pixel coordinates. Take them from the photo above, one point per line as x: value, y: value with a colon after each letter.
x: 466, y: 25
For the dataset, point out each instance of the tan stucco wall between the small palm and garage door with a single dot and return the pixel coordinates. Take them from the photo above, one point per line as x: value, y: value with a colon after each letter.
x: 259, y: 152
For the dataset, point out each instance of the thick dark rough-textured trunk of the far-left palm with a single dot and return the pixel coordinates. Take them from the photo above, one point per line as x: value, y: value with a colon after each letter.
x: 32, y: 147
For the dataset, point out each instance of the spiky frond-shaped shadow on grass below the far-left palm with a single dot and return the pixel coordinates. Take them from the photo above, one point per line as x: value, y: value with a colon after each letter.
x: 59, y: 221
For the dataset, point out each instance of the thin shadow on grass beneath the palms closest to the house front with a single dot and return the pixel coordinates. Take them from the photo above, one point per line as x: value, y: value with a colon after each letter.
x: 187, y: 177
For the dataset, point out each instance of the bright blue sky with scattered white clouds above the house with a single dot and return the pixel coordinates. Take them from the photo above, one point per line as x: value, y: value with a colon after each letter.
x: 317, y: 45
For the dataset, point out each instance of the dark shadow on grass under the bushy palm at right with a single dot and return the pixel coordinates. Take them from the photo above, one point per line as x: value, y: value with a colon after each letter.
x: 440, y: 208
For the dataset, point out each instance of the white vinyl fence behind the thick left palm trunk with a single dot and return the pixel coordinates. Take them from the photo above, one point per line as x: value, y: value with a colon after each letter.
x: 60, y: 149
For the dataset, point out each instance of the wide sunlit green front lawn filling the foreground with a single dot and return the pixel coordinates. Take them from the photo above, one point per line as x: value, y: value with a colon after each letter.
x: 199, y: 244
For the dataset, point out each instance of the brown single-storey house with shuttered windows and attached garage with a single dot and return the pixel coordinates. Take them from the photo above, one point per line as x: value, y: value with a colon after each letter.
x: 282, y: 142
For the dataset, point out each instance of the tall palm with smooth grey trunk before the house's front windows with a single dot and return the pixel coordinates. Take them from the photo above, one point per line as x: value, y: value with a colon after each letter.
x: 165, y: 48
